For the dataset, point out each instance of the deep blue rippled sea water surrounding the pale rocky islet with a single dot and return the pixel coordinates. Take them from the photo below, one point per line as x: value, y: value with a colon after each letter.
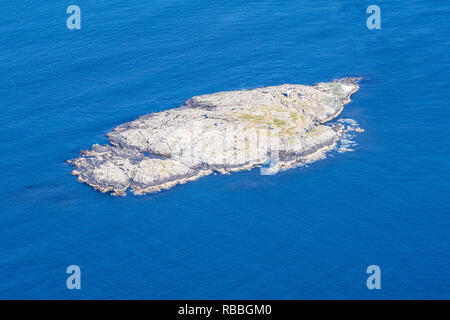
x: 306, y: 233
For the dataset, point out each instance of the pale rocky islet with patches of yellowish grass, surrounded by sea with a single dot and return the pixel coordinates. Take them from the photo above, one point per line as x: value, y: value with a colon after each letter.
x: 286, y: 126
